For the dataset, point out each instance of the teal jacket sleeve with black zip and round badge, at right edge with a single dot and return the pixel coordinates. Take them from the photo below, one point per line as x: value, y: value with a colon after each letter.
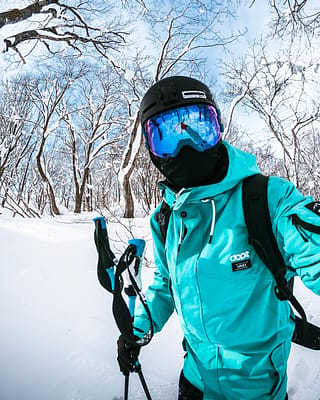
x: 296, y: 225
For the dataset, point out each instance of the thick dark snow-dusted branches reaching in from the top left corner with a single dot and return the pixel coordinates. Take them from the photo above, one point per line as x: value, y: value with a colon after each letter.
x: 66, y: 24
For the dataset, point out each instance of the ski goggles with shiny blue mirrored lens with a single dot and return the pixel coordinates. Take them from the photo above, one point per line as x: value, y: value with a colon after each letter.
x: 195, y: 125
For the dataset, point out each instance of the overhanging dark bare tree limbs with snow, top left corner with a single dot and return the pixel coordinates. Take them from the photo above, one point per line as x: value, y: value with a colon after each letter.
x: 53, y: 22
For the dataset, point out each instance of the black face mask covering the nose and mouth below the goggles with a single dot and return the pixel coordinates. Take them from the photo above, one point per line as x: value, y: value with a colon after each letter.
x: 193, y: 168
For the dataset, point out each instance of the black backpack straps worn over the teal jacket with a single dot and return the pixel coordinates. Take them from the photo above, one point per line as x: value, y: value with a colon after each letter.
x: 261, y: 237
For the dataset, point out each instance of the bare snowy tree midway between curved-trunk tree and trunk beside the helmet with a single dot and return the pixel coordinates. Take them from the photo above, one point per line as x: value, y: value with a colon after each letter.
x: 93, y: 126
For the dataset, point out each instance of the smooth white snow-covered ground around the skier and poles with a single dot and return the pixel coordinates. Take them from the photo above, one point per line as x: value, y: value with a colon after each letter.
x: 58, y: 337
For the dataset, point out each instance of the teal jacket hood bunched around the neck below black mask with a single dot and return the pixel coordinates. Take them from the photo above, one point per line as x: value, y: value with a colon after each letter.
x: 241, y: 165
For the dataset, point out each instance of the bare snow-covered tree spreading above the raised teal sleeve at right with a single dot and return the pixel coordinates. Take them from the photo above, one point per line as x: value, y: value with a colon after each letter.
x: 283, y: 92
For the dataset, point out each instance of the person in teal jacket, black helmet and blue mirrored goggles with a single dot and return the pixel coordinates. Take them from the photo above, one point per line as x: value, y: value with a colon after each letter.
x: 237, y: 333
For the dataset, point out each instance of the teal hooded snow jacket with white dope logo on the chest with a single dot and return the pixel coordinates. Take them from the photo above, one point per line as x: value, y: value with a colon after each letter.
x: 237, y: 332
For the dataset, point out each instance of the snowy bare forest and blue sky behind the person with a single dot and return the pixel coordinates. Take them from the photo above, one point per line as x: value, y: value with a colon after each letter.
x: 74, y: 73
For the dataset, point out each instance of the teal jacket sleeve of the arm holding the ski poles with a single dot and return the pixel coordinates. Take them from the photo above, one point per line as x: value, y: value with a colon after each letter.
x: 158, y: 294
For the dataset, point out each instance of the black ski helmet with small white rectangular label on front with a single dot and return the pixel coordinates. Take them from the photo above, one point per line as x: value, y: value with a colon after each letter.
x: 175, y: 91
